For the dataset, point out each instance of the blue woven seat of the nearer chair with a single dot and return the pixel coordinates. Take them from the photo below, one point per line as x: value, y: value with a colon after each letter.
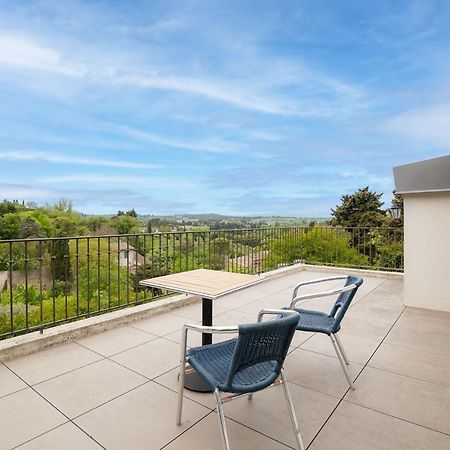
x: 212, y: 362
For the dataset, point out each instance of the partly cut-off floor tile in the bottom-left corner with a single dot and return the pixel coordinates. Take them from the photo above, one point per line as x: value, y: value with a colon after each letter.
x: 25, y: 415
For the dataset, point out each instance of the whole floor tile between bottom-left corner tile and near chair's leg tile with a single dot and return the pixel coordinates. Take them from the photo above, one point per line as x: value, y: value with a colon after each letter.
x: 83, y: 389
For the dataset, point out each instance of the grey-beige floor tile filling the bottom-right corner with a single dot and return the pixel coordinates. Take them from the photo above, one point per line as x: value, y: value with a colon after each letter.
x: 352, y: 427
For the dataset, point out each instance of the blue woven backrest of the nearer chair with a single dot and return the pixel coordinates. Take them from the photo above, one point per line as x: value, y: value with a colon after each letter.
x: 259, y: 354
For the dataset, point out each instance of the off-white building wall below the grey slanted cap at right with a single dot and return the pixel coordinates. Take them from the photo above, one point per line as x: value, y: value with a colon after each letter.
x: 427, y: 250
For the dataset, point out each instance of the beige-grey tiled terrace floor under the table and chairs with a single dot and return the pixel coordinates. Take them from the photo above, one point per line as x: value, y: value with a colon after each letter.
x: 116, y: 390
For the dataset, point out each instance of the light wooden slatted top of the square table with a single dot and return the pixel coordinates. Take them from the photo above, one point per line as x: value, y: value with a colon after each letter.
x: 203, y: 282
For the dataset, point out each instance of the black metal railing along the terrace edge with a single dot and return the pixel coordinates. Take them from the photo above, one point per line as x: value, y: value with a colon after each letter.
x: 44, y: 282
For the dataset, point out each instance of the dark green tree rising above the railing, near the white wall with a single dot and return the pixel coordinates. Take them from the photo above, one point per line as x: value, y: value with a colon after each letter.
x: 361, y: 209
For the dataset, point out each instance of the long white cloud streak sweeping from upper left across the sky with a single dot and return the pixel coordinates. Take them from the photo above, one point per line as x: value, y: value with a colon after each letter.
x: 248, y: 93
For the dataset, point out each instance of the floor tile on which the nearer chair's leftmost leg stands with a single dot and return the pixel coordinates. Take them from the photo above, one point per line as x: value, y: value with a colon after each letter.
x: 144, y: 418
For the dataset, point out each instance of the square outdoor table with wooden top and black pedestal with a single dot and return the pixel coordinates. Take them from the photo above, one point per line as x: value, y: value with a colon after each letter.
x: 209, y: 285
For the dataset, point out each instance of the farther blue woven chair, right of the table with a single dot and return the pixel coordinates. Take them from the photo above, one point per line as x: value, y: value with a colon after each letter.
x: 330, y: 324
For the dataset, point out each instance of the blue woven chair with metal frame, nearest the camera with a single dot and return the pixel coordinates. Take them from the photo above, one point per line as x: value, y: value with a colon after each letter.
x: 241, y: 366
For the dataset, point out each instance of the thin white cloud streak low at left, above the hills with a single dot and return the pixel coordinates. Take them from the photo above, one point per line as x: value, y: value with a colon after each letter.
x: 61, y: 159
